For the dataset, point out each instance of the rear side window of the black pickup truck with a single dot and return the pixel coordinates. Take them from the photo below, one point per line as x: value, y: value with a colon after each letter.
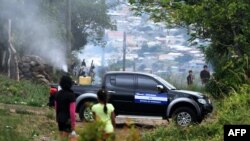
x: 125, y: 81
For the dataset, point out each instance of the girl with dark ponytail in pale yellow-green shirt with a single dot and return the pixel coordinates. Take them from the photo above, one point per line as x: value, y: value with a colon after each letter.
x: 104, y: 112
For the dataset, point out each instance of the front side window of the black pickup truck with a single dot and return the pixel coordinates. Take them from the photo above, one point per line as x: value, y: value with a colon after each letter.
x: 146, y: 83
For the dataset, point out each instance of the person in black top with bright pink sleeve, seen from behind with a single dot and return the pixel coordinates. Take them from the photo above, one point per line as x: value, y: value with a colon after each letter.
x: 65, y: 107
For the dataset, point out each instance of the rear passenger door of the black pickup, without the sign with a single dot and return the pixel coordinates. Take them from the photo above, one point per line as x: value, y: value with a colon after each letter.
x: 121, y: 89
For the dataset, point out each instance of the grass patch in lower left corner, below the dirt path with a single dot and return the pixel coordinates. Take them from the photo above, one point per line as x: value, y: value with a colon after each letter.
x: 25, y: 125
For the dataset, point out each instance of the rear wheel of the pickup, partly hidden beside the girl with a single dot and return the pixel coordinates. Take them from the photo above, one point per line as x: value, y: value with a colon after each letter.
x: 85, y: 113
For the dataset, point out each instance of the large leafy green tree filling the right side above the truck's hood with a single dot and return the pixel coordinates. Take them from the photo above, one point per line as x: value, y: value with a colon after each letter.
x: 225, y: 23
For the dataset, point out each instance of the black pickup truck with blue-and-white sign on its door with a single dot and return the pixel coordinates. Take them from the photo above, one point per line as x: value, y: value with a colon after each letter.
x: 134, y: 93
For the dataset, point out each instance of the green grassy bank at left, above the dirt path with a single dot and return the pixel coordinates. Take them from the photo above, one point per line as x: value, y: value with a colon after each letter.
x: 23, y: 92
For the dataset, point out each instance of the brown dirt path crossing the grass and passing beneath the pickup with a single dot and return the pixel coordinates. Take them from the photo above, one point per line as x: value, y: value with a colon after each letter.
x: 123, y: 123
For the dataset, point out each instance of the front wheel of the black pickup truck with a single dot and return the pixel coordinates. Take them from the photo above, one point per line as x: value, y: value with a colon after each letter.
x: 184, y: 116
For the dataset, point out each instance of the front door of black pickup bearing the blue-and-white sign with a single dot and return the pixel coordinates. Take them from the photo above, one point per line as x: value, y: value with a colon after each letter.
x: 147, y: 98
